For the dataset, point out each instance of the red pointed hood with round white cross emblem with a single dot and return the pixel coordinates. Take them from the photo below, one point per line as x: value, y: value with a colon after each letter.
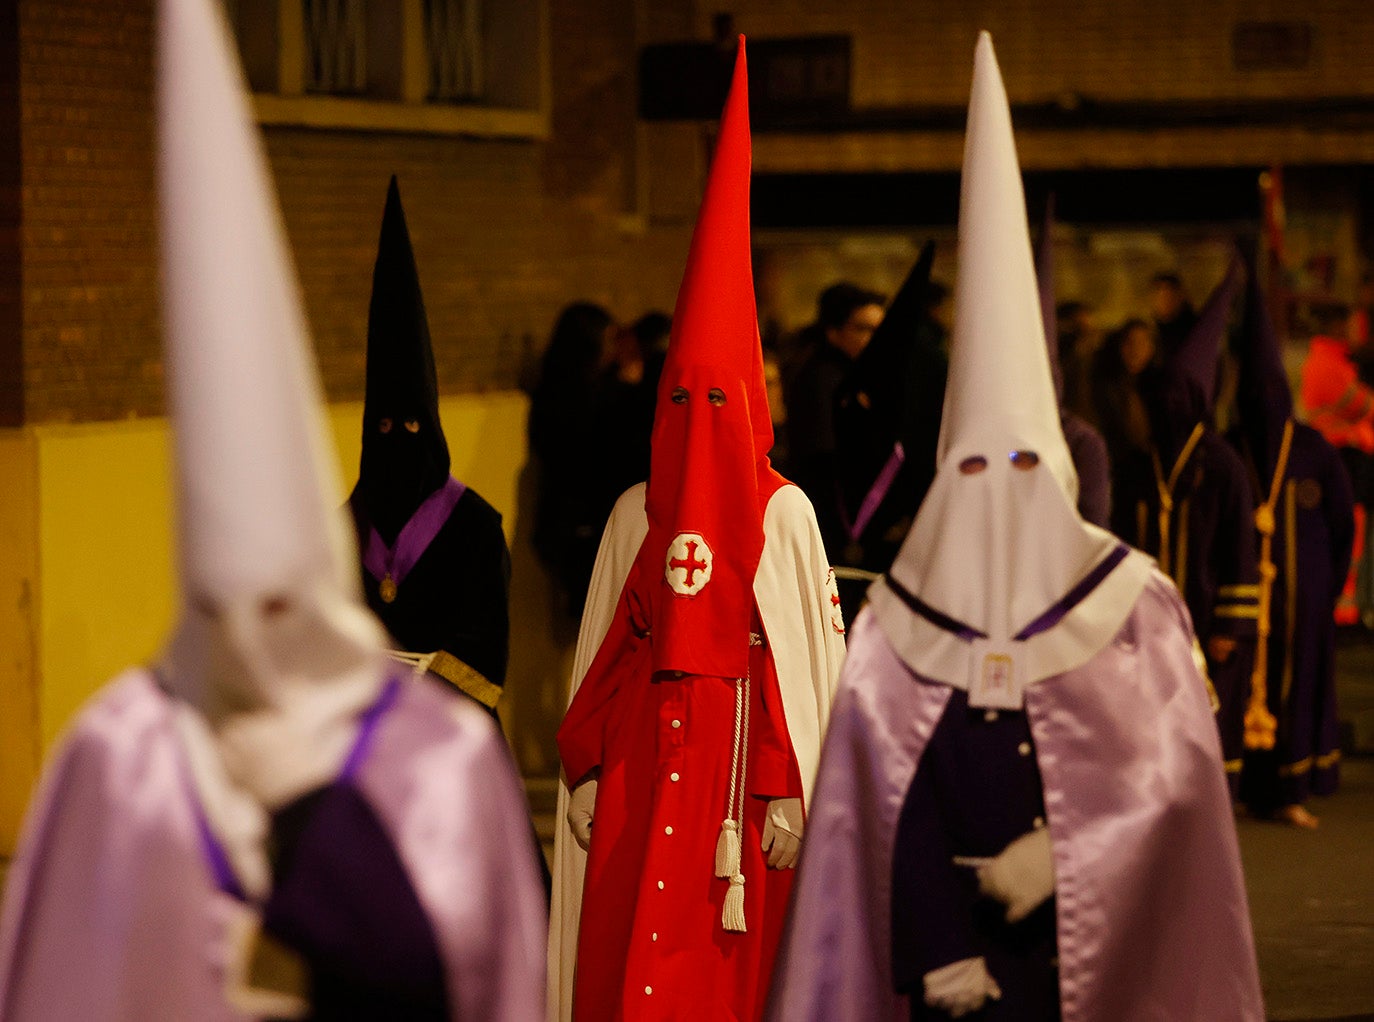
x: 710, y: 476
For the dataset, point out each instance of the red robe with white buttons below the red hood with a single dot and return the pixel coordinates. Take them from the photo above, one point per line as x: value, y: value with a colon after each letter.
x: 664, y: 749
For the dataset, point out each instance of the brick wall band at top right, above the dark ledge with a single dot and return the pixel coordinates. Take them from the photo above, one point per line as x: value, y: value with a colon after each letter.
x: 921, y: 52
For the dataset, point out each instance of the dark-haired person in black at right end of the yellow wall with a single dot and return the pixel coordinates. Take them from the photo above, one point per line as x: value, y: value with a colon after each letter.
x: 565, y: 439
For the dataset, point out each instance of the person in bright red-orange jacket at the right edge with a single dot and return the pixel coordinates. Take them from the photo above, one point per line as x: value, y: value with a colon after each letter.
x: 1340, y: 406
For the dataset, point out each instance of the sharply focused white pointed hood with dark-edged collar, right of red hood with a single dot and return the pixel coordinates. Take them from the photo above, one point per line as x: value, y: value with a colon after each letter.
x: 998, y: 549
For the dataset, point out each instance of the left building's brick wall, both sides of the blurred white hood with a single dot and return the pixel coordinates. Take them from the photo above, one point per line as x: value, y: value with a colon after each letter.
x: 506, y: 233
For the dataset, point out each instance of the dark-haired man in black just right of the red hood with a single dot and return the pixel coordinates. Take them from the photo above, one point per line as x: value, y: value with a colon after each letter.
x: 847, y: 318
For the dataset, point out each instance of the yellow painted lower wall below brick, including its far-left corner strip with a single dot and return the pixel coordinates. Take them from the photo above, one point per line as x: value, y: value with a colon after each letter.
x: 86, y: 527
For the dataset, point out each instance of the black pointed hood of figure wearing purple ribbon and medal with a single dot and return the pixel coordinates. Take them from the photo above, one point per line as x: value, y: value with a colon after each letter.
x: 405, y: 453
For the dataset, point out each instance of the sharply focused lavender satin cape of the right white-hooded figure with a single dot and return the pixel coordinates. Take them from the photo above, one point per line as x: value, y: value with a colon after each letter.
x: 1152, y: 917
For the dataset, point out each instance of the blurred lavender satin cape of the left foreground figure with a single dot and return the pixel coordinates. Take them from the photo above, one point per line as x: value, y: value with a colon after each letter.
x: 112, y: 911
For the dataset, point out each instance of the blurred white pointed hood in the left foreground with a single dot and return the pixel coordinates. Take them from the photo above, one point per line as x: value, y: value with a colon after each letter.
x: 274, y: 650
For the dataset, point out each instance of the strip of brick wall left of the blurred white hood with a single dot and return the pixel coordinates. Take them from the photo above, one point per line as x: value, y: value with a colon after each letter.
x: 90, y: 280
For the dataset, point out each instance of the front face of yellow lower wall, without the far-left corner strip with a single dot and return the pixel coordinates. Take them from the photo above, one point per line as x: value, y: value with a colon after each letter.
x: 106, y: 542
